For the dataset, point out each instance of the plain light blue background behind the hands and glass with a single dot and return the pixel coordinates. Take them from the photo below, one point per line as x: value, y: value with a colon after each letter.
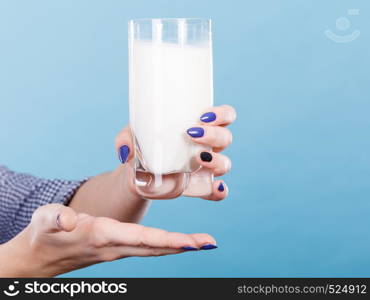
x: 300, y: 186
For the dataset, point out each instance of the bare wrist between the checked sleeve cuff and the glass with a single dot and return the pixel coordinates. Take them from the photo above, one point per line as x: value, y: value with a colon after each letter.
x: 110, y: 195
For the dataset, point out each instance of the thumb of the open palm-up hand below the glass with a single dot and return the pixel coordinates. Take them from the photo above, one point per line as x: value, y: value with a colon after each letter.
x: 54, y: 217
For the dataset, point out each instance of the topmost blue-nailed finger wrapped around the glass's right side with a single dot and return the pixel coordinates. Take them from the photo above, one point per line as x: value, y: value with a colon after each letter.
x: 219, y: 115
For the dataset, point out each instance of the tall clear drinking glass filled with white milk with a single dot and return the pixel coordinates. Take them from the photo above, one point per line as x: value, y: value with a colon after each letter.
x: 170, y: 86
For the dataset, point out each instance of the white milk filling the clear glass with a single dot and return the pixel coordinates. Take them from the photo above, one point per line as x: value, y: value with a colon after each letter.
x: 170, y: 87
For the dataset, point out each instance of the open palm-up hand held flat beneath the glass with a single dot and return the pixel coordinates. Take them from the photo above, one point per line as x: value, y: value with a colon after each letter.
x: 59, y: 240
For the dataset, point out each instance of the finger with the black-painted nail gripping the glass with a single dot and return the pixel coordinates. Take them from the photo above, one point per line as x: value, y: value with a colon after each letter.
x: 219, y: 164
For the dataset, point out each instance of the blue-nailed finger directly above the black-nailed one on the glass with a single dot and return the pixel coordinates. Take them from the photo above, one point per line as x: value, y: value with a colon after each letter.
x: 214, y: 136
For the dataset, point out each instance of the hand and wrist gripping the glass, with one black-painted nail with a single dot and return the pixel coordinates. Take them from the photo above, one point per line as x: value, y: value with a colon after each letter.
x: 113, y: 195
